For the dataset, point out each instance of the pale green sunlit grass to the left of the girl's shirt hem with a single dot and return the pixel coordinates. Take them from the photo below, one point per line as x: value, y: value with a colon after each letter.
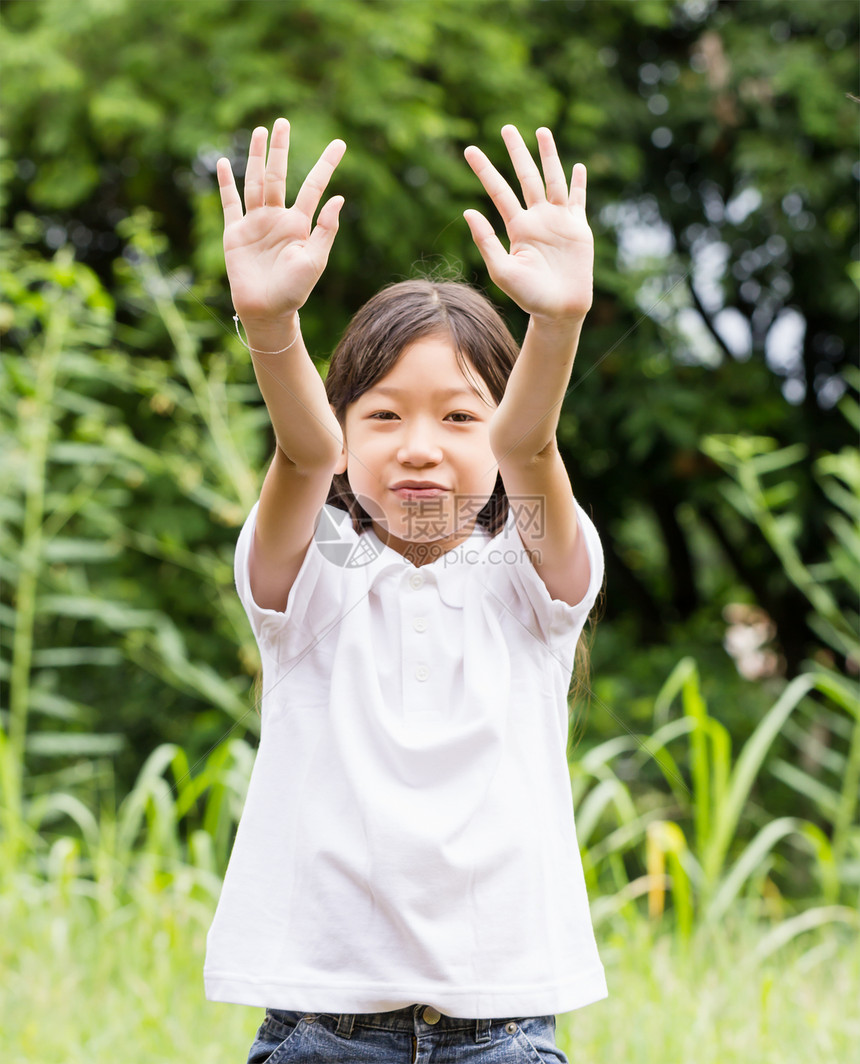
x: 123, y: 990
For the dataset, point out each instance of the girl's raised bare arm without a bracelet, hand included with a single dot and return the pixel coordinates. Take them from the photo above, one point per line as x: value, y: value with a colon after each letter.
x: 549, y: 273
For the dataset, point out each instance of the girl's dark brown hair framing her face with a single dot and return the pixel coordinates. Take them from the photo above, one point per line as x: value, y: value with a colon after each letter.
x: 386, y: 326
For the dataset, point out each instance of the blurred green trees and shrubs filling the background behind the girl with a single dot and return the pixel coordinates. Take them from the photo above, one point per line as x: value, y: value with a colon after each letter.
x: 721, y: 144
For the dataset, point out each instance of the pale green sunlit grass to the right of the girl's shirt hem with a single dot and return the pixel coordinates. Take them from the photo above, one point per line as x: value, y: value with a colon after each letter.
x: 709, y: 1003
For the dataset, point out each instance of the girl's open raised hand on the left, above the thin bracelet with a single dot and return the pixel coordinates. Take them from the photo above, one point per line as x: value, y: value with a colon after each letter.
x: 274, y: 257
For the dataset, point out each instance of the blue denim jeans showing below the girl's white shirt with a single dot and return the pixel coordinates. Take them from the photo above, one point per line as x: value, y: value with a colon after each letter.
x: 418, y: 1035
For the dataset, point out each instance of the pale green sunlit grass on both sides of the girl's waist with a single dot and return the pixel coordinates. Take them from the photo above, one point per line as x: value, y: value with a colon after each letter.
x: 127, y: 987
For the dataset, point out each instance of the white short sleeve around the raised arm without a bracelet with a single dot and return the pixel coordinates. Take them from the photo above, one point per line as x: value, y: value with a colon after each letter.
x: 559, y: 623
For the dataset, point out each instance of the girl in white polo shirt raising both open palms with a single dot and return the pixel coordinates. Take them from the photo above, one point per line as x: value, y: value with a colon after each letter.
x: 406, y: 884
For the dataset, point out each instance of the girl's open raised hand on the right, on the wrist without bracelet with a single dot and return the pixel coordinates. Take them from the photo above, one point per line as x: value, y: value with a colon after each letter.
x: 550, y: 269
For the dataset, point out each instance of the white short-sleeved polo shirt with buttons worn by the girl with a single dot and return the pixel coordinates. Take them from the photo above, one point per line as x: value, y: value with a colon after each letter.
x: 408, y: 835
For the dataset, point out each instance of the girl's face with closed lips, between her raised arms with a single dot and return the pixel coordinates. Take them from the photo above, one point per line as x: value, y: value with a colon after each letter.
x: 418, y: 451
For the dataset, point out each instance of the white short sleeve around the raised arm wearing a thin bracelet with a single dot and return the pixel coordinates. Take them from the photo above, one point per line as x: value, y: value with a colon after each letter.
x: 312, y: 606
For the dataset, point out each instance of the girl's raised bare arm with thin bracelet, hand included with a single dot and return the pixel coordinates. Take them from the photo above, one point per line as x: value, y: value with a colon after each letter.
x: 275, y: 256
